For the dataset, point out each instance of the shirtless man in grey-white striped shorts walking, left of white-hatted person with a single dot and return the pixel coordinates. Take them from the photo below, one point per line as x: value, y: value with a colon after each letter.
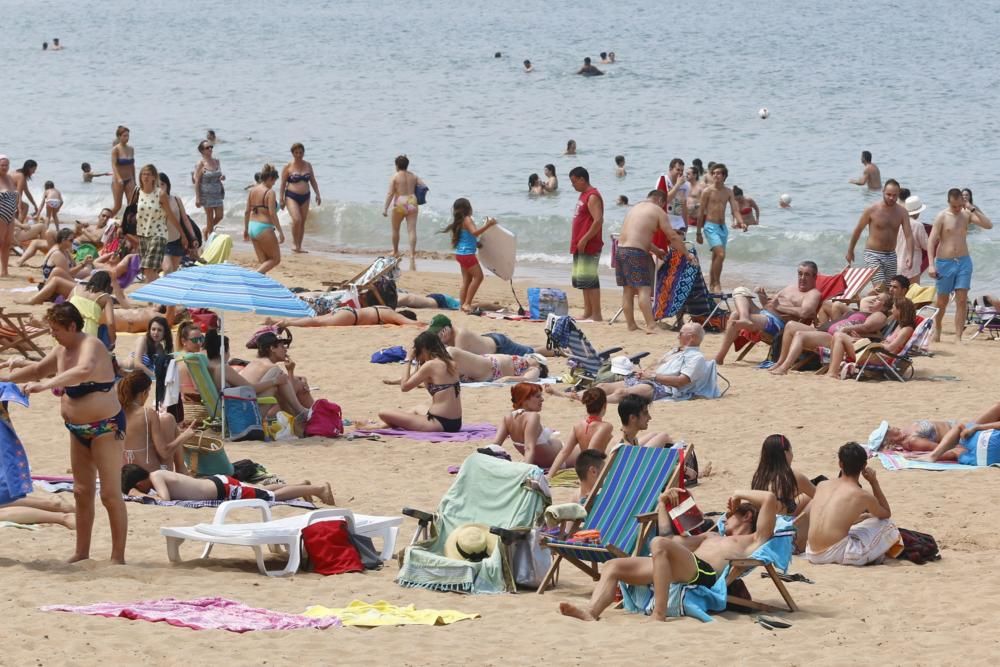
x: 884, y: 220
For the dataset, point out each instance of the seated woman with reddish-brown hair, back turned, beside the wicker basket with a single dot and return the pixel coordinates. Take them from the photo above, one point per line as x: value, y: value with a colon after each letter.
x: 154, y: 442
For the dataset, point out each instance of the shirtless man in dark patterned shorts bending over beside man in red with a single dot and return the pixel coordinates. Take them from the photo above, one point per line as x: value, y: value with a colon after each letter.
x: 634, y: 269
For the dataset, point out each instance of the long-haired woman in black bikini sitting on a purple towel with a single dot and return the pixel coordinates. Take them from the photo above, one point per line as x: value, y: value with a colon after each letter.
x: 436, y: 370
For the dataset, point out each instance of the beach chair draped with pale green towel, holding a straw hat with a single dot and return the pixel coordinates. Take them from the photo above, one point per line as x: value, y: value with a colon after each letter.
x: 487, y: 491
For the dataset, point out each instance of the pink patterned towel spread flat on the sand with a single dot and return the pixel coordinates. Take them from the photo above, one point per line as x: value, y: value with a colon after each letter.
x: 201, y: 614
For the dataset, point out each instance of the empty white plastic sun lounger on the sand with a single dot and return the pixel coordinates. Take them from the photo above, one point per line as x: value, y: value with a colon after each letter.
x: 279, y: 535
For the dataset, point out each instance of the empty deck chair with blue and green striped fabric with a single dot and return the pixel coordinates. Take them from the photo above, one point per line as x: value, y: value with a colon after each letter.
x: 628, y: 488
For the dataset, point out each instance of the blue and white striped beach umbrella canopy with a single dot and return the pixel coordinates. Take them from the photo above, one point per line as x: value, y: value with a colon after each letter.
x: 224, y: 287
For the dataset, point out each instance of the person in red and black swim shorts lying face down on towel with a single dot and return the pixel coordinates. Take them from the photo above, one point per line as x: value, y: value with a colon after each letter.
x: 171, y: 485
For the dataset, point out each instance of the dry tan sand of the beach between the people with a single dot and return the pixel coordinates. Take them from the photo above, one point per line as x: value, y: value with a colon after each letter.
x: 878, y: 615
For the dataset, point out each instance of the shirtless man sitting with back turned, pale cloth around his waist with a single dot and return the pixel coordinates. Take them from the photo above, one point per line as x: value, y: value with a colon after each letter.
x: 848, y: 525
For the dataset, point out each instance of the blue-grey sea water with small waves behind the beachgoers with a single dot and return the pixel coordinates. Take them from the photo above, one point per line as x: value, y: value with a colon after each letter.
x: 360, y: 82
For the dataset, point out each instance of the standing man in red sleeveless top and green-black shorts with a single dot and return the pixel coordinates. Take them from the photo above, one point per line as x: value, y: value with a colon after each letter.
x: 586, y: 242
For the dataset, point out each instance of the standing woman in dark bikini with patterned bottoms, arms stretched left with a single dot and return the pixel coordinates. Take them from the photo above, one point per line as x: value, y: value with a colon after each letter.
x: 82, y: 368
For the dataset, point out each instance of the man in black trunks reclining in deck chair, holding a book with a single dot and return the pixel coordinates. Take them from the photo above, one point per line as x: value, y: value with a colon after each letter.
x: 696, y: 561
